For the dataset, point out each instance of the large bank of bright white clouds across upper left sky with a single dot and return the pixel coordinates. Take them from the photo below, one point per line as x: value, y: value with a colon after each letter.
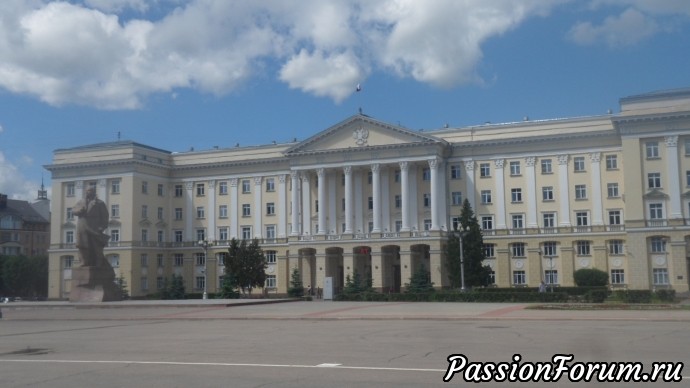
x: 83, y: 53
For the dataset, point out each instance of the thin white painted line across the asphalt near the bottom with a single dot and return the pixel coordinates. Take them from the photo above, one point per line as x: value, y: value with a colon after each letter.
x: 334, y: 366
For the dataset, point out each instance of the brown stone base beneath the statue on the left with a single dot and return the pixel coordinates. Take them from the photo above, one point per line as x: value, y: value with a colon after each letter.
x: 94, y: 284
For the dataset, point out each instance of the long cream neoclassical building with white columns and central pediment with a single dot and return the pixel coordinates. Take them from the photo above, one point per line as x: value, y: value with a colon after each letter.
x: 552, y: 196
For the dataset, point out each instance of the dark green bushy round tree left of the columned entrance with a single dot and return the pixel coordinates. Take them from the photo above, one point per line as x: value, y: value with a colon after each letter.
x: 247, y: 264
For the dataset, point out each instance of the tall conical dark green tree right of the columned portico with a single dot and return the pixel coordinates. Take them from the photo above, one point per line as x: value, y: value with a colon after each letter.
x: 476, y: 273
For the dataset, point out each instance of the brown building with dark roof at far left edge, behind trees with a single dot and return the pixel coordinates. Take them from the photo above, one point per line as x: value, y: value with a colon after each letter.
x: 24, y: 230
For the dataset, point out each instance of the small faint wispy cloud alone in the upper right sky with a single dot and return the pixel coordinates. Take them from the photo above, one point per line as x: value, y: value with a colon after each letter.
x: 627, y: 29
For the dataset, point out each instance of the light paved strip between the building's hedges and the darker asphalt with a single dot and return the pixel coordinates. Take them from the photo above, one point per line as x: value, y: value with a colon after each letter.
x: 287, y: 309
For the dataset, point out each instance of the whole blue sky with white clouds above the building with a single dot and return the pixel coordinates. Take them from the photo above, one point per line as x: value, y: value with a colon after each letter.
x: 176, y: 74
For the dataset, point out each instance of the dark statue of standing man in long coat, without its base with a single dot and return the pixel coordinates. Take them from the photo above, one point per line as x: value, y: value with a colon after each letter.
x: 93, y: 220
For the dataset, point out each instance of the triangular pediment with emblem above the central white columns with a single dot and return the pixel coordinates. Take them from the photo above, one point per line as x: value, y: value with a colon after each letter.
x: 361, y: 132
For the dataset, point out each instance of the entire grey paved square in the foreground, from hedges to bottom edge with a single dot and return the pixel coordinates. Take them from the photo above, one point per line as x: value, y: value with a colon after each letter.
x: 316, y: 344
